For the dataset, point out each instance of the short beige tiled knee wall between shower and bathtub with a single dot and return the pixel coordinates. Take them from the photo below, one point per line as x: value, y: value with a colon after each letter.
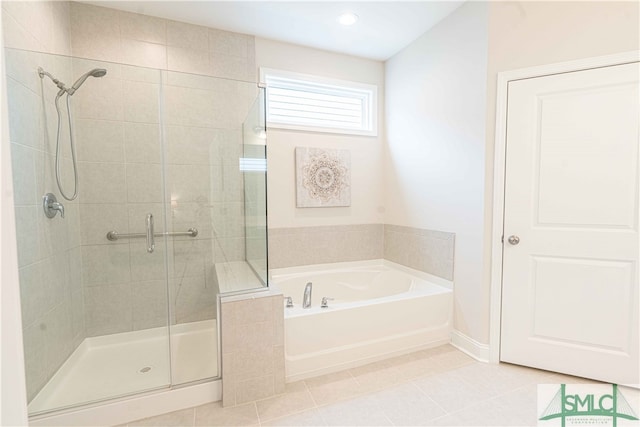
x: 252, y: 340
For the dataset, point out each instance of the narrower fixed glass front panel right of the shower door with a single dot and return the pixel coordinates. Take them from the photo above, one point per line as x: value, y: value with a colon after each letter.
x: 203, y: 128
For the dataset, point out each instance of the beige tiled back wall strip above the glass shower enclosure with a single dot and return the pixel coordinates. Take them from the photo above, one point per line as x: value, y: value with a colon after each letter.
x: 129, y: 38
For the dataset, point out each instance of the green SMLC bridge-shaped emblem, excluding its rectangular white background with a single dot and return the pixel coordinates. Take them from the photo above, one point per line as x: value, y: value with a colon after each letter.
x: 581, y: 408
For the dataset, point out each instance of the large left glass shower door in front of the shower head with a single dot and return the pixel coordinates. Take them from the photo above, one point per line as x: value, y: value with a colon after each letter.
x: 94, y: 309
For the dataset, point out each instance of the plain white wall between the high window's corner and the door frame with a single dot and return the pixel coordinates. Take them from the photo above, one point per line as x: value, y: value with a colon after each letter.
x: 434, y: 170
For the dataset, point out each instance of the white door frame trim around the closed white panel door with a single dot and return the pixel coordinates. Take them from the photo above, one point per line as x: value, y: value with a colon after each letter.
x: 499, y: 165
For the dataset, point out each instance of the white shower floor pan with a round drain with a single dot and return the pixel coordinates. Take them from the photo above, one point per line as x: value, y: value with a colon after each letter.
x: 129, y: 363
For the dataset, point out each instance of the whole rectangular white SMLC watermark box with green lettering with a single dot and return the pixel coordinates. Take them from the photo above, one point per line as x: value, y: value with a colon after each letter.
x: 584, y: 405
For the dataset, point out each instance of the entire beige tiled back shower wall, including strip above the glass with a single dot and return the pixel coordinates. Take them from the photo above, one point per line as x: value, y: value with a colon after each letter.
x: 202, y: 117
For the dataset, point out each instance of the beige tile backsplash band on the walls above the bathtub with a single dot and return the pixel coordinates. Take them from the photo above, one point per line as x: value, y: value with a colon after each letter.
x: 425, y: 250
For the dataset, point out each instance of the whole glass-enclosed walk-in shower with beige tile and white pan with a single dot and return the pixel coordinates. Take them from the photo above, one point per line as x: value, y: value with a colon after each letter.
x: 106, y: 317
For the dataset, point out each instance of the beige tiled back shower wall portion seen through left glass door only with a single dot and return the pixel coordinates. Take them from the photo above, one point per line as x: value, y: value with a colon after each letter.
x: 120, y: 178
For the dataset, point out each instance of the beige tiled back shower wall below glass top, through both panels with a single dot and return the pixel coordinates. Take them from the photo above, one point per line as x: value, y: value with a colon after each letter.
x: 121, y: 168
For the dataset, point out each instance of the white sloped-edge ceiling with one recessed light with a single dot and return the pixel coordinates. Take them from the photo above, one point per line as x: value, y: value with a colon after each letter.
x: 383, y: 28
